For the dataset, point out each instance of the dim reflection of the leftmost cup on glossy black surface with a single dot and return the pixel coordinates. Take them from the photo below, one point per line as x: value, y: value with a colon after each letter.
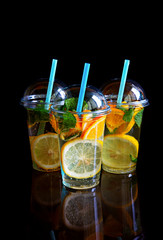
x: 45, y: 202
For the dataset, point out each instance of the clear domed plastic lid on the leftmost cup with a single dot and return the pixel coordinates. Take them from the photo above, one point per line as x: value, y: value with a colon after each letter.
x: 36, y: 93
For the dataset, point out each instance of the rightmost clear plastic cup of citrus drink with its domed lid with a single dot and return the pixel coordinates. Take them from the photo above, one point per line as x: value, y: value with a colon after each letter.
x: 123, y: 125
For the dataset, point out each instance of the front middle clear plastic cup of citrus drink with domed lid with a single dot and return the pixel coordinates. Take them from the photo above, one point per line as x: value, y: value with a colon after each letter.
x: 81, y: 138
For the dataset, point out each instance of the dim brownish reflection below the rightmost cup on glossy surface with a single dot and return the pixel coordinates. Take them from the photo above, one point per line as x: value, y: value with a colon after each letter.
x: 121, y: 214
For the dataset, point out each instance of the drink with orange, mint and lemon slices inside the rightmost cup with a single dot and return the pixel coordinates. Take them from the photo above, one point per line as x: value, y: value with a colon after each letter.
x: 121, y: 141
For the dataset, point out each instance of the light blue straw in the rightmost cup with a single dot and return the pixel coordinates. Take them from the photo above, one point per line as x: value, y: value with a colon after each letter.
x: 123, y: 81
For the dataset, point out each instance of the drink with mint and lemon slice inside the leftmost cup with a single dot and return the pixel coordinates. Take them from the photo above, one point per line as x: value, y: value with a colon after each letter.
x: 43, y: 140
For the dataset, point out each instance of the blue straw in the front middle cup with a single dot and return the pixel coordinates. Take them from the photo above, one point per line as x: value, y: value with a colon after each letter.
x: 83, y: 87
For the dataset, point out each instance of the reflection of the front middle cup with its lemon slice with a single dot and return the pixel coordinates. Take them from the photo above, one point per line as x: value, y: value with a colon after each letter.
x: 82, y: 214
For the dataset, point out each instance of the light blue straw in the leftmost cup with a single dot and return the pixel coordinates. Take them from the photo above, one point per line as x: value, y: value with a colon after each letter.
x: 51, y: 80
